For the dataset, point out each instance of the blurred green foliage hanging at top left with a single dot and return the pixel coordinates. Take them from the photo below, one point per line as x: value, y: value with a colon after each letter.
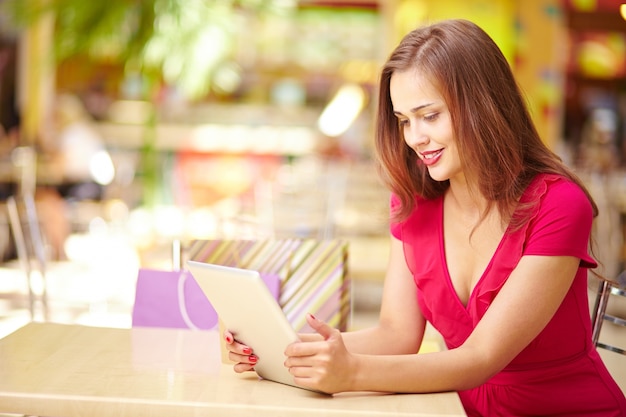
x: 183, y: 41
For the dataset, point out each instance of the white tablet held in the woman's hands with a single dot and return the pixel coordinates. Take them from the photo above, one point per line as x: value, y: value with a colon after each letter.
x: 247, y: 308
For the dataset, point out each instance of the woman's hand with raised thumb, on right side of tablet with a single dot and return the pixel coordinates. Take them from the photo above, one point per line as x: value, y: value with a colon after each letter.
x: 324, y: 365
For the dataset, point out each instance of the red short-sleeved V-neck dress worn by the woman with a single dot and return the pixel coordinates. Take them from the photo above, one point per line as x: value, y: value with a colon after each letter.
x: 559, y: 373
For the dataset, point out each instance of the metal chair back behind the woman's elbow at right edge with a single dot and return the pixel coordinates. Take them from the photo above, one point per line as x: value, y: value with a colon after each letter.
x: 607, y: 290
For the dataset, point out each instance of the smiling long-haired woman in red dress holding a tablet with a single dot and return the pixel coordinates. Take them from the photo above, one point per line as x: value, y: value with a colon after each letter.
x: 490, y: 236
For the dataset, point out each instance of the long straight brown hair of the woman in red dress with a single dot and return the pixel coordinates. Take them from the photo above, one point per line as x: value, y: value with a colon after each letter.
x: 499, y: 146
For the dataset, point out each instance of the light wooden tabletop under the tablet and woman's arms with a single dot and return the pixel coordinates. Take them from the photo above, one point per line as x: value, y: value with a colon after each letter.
x: 65, y: 370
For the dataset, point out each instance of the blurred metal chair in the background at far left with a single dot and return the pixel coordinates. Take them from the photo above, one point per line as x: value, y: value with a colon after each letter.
x: 29, y: 245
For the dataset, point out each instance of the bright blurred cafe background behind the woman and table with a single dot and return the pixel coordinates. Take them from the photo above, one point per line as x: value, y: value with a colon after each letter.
x: 149, y: 131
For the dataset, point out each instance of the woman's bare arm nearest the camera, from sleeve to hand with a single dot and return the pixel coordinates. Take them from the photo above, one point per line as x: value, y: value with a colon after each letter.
x: 523, y: 307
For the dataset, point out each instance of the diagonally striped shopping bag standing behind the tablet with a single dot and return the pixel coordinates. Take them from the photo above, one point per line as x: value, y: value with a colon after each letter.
x: 314, y: 273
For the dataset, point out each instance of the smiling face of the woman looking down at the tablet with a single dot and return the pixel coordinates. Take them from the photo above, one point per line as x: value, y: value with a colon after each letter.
x: 425, y: 121
